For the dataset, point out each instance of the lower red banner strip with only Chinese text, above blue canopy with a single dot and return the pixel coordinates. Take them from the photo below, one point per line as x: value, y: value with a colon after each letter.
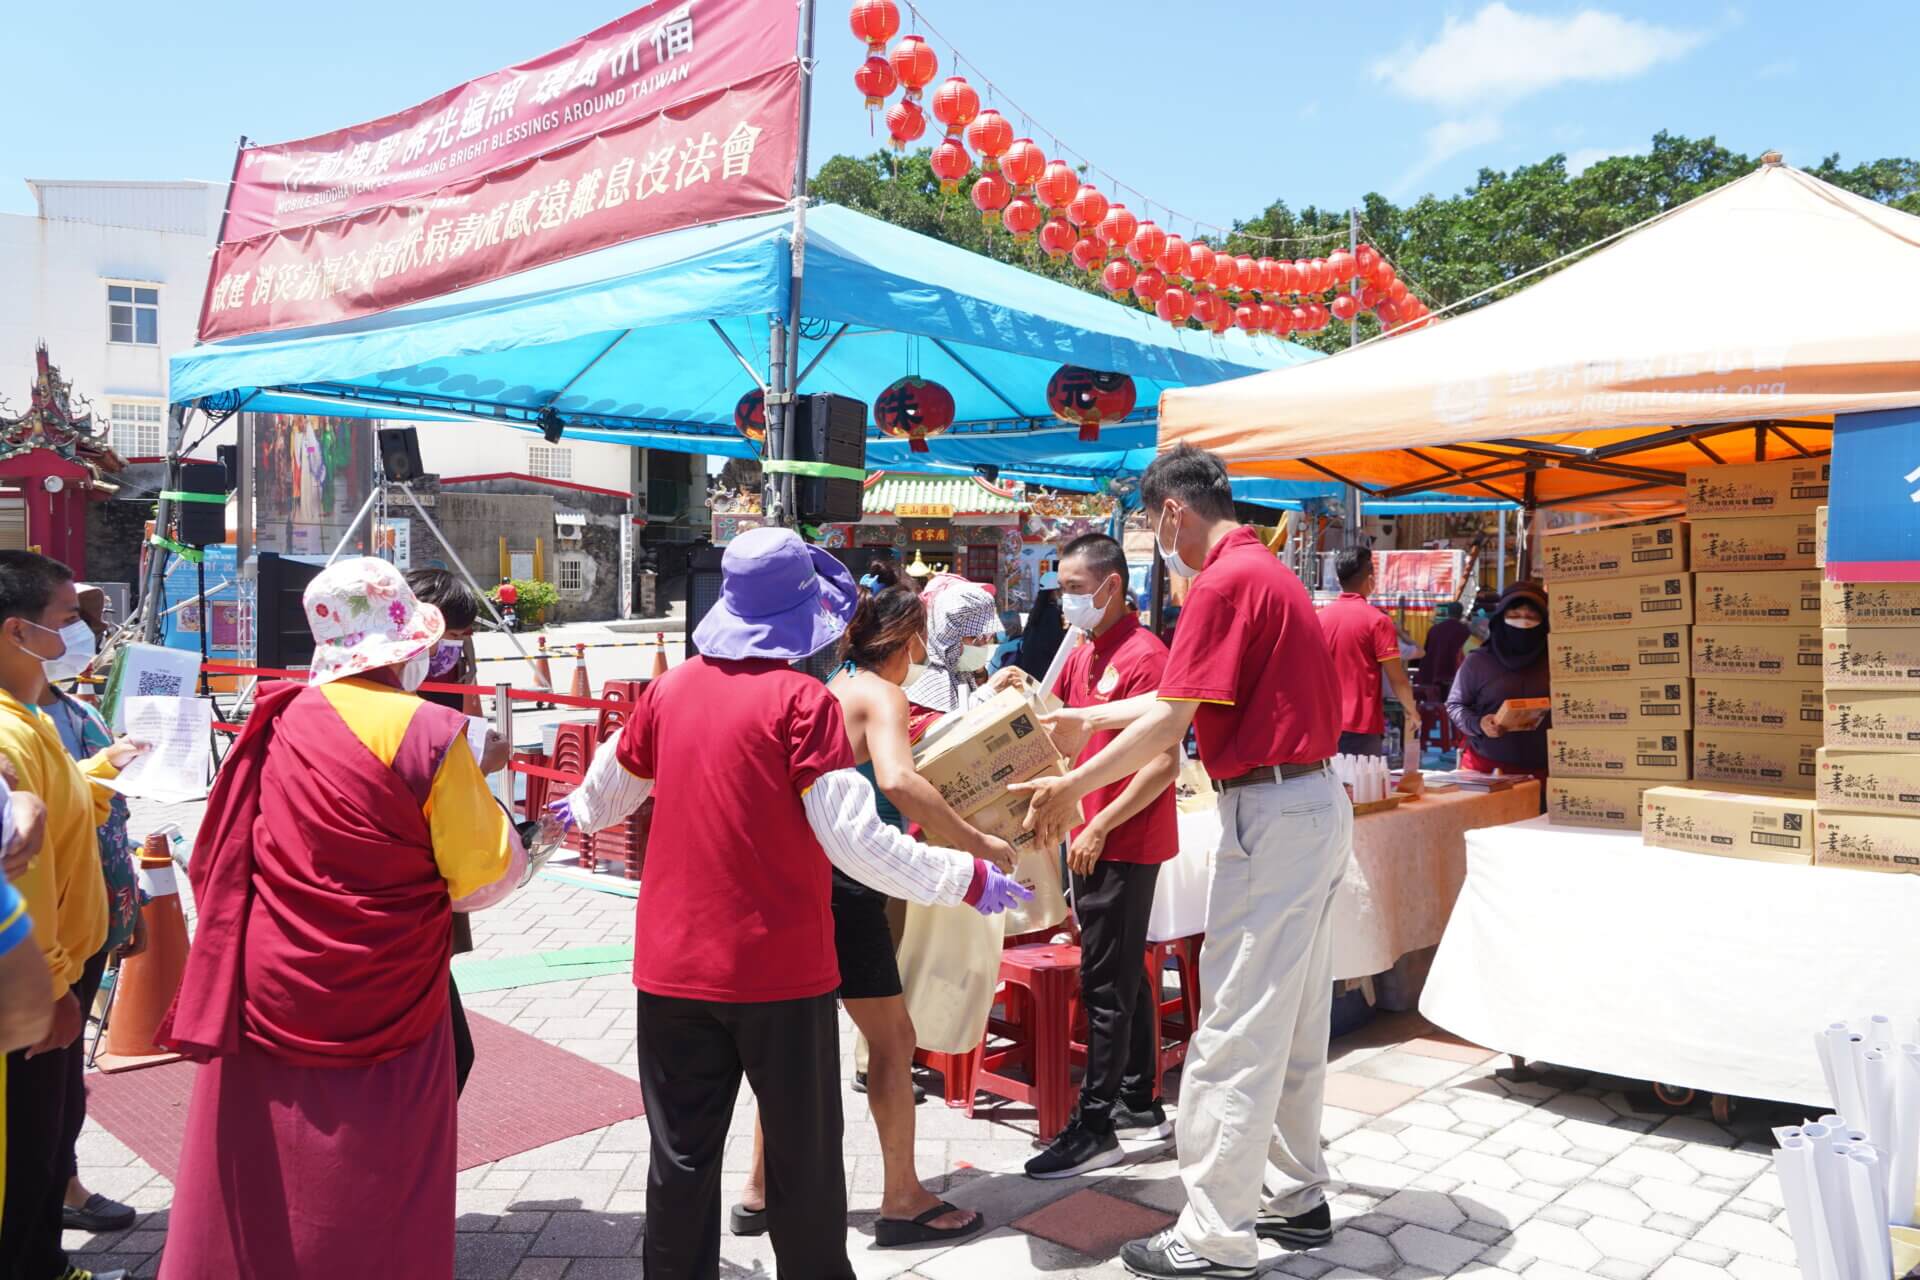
x: 725, y: 156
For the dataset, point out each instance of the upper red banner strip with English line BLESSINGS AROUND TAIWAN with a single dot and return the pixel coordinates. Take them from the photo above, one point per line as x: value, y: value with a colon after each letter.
x: 658, y: 57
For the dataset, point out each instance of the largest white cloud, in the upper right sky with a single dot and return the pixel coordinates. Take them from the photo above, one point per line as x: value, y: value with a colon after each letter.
x: 1499, y: 57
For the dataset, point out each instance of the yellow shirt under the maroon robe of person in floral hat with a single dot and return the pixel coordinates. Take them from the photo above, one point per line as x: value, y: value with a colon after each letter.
x: 469, y: 828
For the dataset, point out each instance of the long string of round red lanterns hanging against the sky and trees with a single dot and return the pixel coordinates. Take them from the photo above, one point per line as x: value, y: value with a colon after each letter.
x: 1028, y: 193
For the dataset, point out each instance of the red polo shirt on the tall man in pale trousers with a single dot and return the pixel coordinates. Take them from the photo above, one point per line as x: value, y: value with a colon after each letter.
x: 1251, y: 652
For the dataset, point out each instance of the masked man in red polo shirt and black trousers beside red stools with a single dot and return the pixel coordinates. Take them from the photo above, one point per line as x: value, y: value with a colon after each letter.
x: 1130, y: 830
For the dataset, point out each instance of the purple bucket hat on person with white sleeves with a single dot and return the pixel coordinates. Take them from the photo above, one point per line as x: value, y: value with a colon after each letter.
x: 779, y: 600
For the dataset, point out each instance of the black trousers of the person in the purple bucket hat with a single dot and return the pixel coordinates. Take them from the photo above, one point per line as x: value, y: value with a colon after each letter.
x: 692, y: 1060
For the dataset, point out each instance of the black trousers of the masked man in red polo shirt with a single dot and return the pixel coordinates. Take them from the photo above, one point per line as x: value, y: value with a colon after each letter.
x: 1113, y: 907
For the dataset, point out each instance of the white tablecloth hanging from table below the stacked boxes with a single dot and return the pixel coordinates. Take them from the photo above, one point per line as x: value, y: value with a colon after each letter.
x: 1589, y: 949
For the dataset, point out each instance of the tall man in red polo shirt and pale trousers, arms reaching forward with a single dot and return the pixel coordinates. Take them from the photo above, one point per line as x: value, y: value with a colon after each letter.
x: 1253, y: 678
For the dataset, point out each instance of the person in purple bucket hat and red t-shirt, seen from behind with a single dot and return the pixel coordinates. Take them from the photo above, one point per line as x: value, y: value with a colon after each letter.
x: 756, y: 795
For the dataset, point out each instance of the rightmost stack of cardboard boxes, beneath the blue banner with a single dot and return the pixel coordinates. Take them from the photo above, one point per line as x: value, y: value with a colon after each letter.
x: 1869, y: 769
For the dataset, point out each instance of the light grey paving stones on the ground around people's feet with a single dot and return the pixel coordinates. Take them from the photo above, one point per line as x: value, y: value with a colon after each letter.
x: 1447, y: 1164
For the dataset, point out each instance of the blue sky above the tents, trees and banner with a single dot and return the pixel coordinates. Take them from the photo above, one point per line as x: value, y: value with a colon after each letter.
x: 1209, y: 107
